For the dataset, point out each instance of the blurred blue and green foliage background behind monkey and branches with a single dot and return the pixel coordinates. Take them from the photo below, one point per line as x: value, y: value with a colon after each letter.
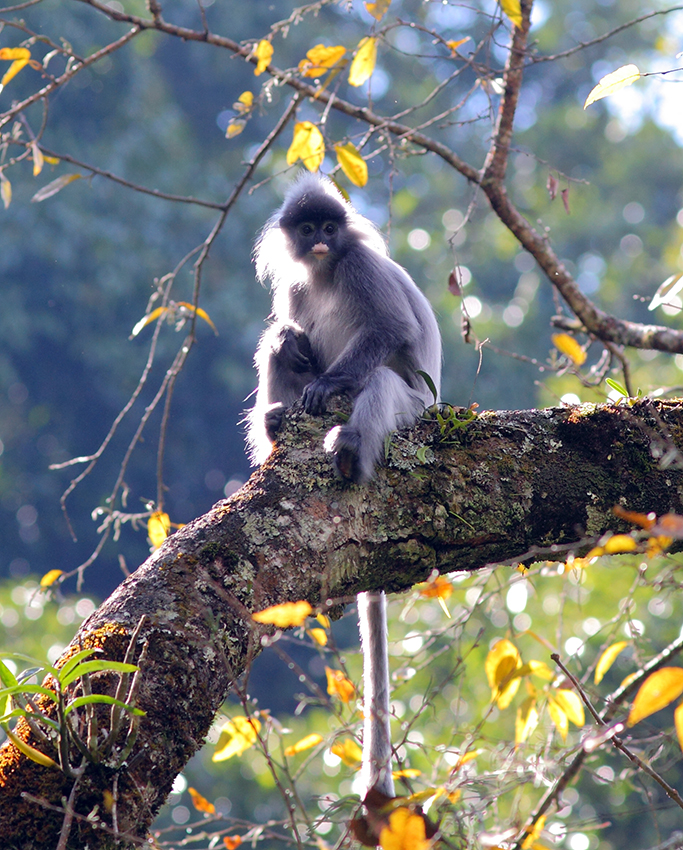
x: 77, y: 271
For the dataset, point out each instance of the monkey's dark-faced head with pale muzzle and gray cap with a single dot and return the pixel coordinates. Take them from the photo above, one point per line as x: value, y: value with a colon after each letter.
x: 315, y: 225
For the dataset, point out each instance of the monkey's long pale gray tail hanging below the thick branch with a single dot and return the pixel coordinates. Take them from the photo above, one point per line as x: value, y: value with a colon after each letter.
x: 372, y: 622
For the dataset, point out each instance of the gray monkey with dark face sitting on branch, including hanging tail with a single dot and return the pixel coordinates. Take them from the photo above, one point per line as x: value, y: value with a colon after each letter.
x: 346, y: 319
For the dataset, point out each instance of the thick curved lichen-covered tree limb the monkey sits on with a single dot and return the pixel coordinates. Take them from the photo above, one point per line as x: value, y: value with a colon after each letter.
x: 500, y: 488
